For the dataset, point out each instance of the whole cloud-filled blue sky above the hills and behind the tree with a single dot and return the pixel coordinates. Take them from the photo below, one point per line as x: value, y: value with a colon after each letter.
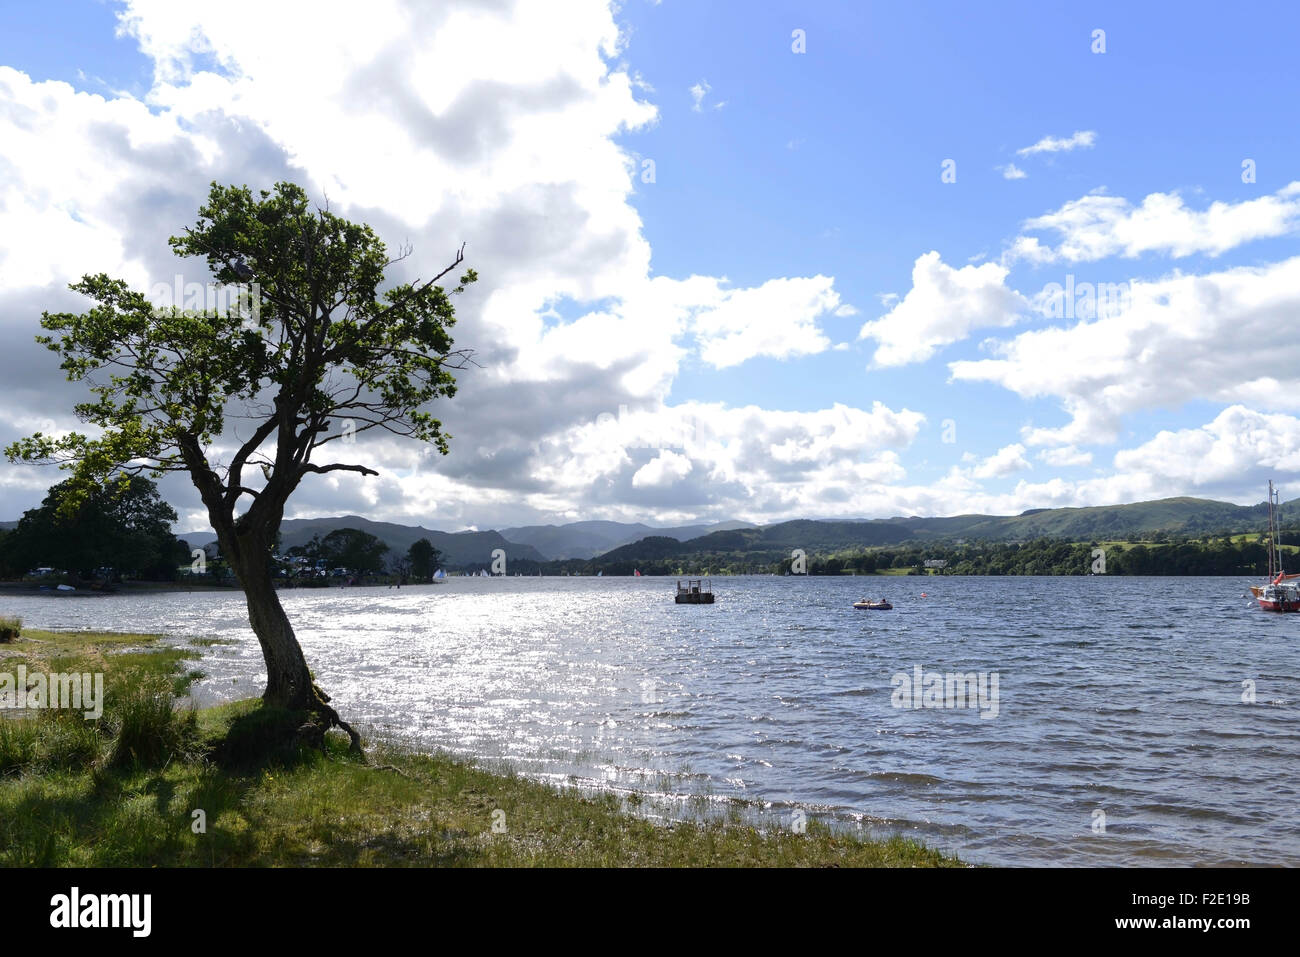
x: 803, y: 185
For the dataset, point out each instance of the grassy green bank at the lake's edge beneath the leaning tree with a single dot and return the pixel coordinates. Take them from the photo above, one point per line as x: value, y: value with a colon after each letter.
x: 124, y: 791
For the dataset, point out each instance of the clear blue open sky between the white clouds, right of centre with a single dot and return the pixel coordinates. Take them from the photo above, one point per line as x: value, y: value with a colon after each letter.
x: 830, y: 162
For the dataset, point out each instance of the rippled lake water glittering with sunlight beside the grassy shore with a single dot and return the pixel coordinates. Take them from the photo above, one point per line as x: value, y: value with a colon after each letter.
x: 1116, y: 698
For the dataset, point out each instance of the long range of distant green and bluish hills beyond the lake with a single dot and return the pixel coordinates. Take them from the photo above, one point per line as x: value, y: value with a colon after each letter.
x: 614, y: 542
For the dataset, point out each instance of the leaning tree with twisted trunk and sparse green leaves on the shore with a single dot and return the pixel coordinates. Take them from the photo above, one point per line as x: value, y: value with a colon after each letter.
x: 310, y: 353
